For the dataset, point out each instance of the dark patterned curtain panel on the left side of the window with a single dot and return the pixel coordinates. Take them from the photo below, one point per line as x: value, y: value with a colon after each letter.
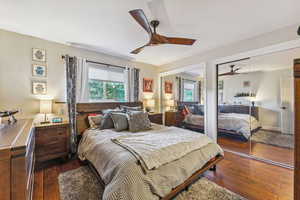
x: 71, y: 72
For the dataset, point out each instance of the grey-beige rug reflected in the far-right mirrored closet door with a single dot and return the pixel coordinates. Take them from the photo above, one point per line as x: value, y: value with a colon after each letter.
x: 274, y: 138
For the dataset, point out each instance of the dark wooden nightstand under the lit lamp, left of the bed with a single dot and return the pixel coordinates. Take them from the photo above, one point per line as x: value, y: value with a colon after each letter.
x: 52, y: 141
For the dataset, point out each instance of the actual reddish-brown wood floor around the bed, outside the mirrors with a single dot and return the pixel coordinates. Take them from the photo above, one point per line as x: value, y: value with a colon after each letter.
x: 252, y: 179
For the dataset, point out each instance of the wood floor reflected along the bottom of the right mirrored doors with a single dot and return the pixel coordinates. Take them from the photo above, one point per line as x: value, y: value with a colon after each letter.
x: 274, y: 153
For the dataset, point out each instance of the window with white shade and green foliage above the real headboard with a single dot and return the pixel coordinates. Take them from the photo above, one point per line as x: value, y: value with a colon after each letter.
x: 106, y: 83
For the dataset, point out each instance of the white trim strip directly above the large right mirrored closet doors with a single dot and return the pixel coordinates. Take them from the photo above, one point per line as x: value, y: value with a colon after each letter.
x: 261, y: 51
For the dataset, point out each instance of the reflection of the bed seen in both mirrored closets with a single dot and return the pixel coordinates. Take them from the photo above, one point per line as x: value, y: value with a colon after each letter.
x: 233, y: 120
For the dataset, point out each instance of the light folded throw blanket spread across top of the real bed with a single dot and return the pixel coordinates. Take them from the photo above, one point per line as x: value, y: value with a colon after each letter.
x: 162, y: 146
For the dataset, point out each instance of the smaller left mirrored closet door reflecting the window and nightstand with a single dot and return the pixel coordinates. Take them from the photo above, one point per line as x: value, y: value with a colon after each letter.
x: 182, y: 98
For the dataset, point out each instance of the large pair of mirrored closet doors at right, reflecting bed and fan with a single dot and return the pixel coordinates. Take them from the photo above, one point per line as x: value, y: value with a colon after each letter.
x: 256, y: 108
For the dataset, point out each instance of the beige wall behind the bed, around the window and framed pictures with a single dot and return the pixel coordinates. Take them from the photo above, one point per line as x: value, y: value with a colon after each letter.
x: 16, y: 70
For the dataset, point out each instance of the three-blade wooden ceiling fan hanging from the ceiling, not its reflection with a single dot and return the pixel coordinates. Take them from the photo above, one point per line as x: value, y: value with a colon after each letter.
x: 155, y: 39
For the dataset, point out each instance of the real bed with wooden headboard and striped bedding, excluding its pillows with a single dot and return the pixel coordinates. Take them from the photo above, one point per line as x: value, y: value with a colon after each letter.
x: 123, y: 172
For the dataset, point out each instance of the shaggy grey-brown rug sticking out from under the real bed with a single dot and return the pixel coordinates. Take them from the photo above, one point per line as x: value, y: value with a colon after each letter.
x: 81, y: 184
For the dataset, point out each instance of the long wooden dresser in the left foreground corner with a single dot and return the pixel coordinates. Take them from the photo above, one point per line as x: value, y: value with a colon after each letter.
x: 17, y: 161
